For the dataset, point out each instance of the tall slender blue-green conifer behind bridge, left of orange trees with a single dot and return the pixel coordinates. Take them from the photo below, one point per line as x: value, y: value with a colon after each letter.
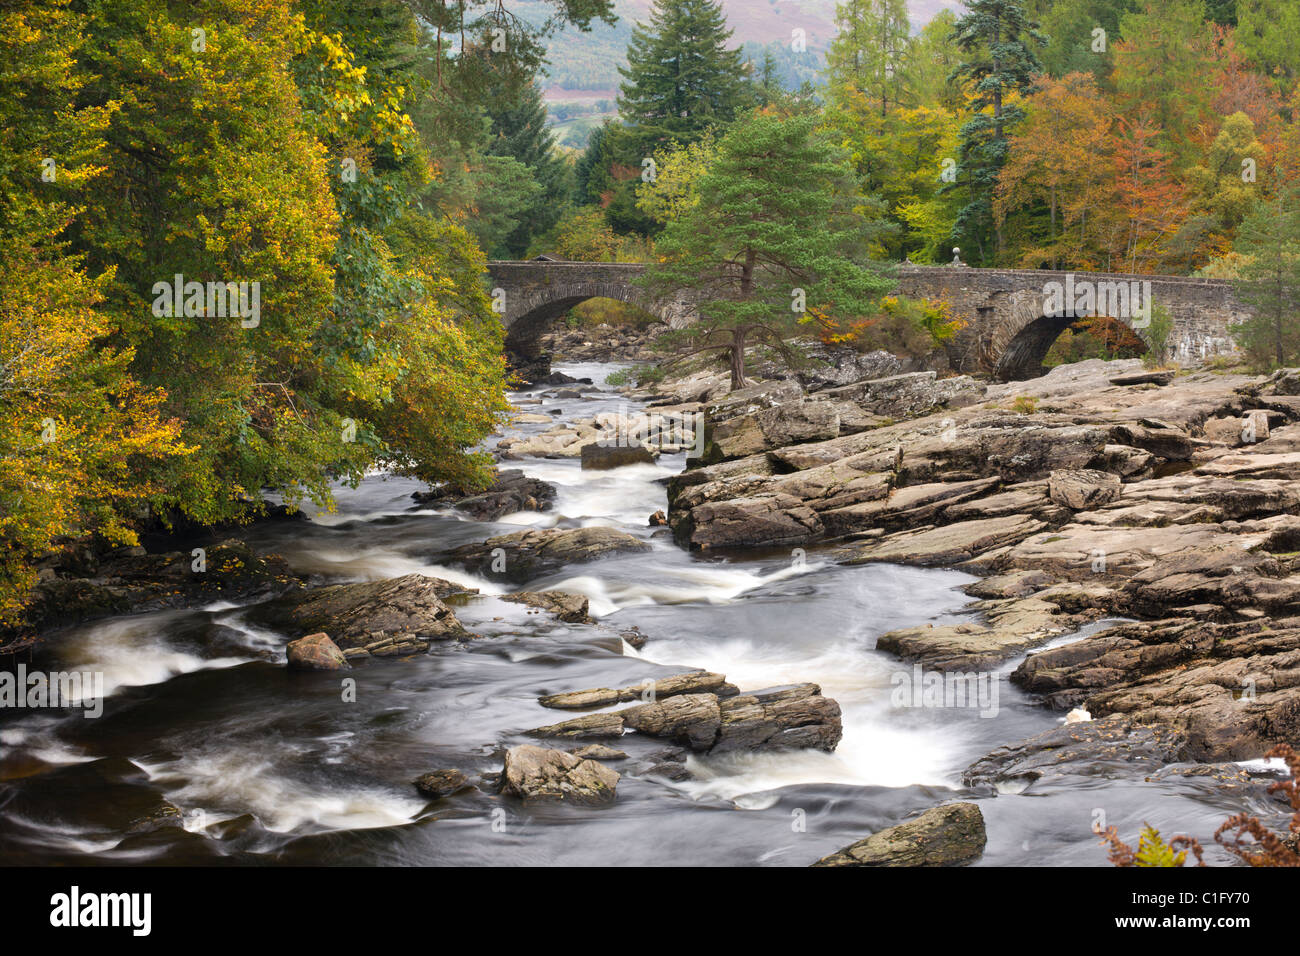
x: 998, y: 41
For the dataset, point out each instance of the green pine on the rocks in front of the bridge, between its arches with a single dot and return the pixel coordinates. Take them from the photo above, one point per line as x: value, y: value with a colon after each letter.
x: 773, y: 243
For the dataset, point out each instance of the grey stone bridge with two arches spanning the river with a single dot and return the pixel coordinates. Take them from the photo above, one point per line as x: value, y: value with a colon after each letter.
x: 1012, y: 315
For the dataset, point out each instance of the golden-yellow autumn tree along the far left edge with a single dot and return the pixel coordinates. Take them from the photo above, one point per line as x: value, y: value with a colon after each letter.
x: 81, y: 440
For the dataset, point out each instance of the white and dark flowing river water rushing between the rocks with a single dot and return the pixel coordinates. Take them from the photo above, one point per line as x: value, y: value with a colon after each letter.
x: 274, y: 767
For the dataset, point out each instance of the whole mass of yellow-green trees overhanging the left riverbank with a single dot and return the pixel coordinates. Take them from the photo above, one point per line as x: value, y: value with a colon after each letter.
x: 332, y: 154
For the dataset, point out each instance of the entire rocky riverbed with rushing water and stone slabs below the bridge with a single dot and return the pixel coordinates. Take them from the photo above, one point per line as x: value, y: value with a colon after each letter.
x: 853, y: 615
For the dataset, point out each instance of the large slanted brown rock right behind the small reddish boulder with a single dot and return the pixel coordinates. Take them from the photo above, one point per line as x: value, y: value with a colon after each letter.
x: 391, y: 618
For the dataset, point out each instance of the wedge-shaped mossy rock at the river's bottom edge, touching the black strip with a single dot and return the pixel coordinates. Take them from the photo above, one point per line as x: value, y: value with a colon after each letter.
x: 950, y: 836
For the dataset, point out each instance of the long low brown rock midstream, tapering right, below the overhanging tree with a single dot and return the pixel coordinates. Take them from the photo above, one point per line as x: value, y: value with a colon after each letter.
x: 527, y: 555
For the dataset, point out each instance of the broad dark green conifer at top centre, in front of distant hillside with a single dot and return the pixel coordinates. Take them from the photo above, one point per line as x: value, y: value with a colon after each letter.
x: 681, y: 79
